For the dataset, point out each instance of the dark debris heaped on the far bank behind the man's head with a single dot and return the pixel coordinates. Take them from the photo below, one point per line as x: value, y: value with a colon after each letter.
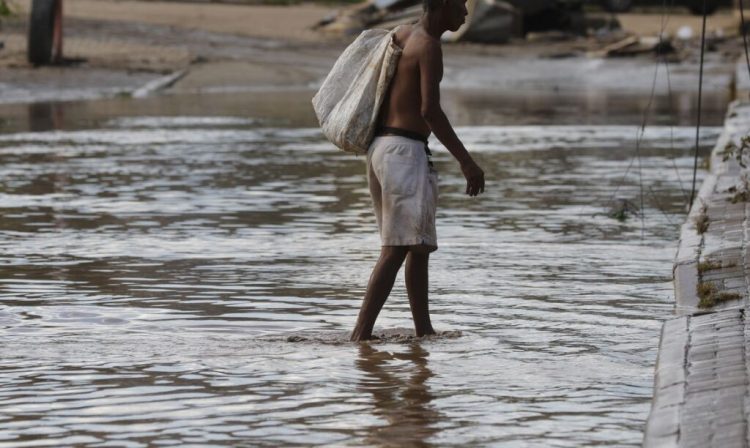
x: 505, y: 21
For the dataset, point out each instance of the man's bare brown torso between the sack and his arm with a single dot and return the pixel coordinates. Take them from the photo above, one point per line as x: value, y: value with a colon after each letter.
x: 402, y: 106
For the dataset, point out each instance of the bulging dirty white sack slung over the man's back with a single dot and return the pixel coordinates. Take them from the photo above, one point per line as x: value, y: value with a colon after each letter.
x: 349, y: 100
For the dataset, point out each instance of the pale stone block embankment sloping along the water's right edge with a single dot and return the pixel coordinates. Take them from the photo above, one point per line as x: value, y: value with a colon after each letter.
x: 702, y: 384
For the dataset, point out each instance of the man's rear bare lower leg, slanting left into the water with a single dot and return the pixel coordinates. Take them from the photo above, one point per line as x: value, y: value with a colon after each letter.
x: 381, y: 282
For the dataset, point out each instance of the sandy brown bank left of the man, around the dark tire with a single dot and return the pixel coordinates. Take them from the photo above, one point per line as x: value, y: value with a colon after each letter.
x: 221, y: 45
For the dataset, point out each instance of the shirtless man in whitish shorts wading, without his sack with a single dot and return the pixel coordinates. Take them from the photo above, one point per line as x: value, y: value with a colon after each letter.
x: 402, y: 181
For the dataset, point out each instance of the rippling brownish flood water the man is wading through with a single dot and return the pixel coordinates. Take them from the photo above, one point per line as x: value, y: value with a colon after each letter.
x: 153, y: 270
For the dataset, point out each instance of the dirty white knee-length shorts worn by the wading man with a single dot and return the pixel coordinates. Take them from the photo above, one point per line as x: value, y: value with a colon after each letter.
x: 404, y: 192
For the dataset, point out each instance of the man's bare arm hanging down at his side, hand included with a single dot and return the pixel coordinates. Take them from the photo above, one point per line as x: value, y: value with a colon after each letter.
x: 431, y: 73
